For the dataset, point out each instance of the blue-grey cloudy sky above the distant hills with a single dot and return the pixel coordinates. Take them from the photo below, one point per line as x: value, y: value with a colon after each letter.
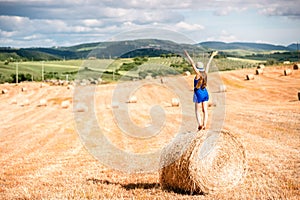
x: 45, y: 23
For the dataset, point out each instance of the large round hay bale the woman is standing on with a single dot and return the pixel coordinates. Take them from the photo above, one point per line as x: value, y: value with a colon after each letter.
x: 202, y: 163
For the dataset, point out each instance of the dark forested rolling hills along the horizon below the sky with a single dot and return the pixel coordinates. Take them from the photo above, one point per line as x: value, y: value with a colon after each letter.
x: 132, y: 48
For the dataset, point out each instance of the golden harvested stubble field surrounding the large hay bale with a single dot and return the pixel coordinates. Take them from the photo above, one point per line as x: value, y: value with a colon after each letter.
x: 42, y: 156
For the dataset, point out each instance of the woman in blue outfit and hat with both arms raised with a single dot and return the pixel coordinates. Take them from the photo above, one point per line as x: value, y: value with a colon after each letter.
x: 201, y: 96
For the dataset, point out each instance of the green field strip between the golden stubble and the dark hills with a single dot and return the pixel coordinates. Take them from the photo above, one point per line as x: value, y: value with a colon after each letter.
x: 111, y: 69
